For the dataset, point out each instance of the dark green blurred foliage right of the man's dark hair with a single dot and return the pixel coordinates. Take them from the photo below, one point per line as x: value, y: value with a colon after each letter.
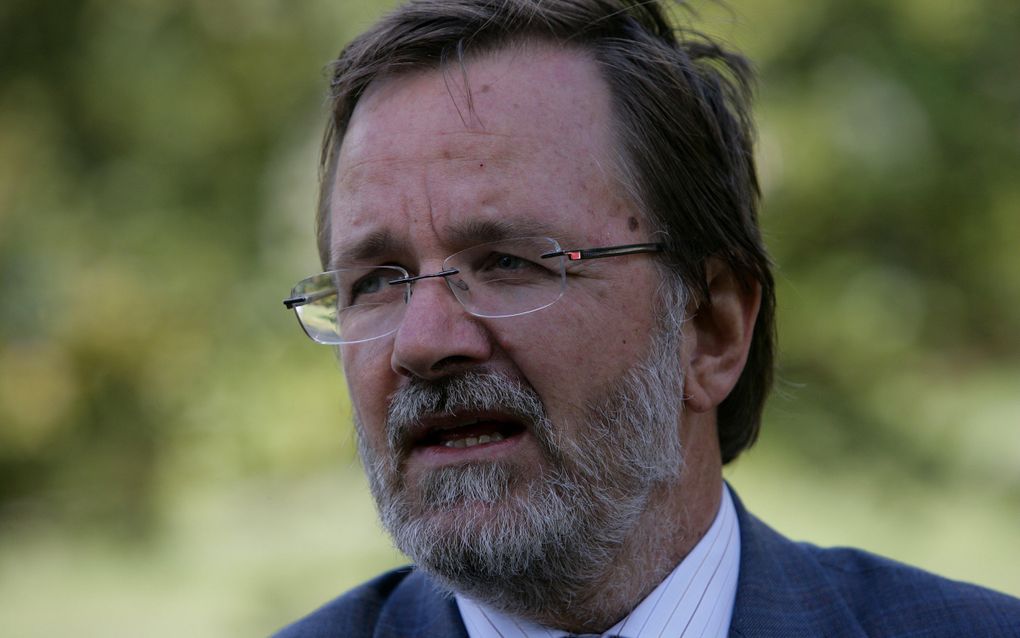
x: 895, y: 131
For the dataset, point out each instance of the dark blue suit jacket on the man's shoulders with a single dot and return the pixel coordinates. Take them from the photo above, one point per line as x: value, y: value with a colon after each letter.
x: 785, y: 591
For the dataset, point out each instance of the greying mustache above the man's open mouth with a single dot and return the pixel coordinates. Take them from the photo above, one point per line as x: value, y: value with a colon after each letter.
x: 469, y: 391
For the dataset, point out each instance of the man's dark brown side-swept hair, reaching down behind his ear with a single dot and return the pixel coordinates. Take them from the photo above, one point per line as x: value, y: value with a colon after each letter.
x: 682, y: 108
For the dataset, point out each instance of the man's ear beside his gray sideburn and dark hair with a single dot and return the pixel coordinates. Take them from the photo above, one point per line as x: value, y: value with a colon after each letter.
x: 719, y: 337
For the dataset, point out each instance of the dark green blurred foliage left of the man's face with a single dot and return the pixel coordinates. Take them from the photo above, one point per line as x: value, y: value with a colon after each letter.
x: 141, y: 247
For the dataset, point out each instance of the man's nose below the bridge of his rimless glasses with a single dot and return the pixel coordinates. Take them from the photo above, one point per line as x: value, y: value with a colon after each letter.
x: 438, y: 337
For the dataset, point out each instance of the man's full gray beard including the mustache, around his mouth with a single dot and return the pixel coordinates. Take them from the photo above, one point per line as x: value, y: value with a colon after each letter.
x: 526, y: 545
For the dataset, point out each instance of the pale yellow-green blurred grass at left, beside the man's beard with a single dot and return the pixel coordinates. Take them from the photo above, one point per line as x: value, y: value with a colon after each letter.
x: 235, y: 562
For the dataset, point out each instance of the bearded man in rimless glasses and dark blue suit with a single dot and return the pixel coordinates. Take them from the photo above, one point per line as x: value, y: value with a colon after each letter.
x: 555, y: 314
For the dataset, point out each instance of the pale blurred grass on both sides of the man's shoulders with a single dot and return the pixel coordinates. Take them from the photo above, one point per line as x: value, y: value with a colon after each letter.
x: 245, y: 560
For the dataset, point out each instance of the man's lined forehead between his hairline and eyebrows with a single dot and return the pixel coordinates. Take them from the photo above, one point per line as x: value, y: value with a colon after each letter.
x: 517, y: 143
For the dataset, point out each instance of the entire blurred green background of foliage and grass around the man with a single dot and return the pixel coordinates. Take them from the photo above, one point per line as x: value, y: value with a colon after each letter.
x: 177, y: 459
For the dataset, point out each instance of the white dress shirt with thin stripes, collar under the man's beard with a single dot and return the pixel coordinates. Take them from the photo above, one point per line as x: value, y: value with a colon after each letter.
x: 695, y: 601
